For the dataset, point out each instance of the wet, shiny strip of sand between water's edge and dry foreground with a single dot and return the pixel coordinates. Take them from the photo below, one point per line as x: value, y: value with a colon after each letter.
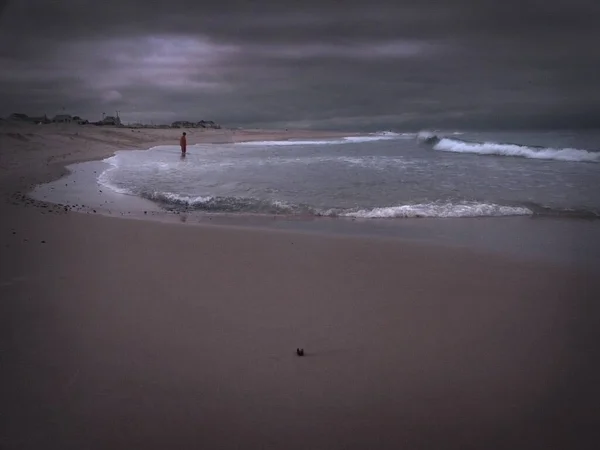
x: 521, y: 237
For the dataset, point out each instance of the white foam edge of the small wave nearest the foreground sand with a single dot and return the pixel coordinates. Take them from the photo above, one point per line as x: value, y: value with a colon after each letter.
x: 438, y: 210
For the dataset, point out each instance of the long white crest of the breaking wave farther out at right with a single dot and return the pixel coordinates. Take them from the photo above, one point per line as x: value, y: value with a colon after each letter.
x: 492, y: 148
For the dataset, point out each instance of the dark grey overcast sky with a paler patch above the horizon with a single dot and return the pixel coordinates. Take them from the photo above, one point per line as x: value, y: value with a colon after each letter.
x: 369, y: 65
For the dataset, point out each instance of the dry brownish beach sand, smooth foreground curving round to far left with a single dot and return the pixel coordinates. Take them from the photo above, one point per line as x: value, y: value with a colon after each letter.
x: 119, y: 333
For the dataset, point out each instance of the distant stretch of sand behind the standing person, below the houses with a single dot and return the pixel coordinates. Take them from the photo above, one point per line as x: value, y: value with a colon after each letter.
x: 103, y: 142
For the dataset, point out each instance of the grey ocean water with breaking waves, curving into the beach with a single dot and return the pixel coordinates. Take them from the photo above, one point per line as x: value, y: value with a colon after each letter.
x: 383, y: 175
